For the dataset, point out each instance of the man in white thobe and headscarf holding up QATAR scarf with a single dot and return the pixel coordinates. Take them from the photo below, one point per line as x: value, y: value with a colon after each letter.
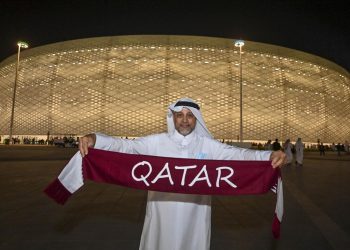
x: 179, y: 221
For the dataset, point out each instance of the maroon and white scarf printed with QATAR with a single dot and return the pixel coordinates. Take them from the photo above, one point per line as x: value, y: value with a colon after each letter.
x: 175, y: 175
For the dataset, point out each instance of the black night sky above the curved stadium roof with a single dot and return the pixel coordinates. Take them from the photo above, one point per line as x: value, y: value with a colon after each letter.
x: 317, y: 27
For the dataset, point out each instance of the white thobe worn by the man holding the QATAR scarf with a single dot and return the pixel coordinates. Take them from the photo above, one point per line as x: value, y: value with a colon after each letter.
x: 178, y: 221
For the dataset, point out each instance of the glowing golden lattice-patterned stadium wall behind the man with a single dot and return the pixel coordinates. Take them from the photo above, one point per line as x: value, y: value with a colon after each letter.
x: 122, y: 86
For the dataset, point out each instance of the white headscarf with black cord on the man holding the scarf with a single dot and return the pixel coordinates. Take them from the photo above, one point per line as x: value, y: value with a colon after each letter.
x: 200, y: 129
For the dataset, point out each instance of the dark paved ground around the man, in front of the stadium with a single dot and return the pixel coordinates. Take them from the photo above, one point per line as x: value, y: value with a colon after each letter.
x: 101, y: 216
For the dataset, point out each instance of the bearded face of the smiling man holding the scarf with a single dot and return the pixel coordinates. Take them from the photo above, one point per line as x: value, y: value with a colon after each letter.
x: 184, y: 121
